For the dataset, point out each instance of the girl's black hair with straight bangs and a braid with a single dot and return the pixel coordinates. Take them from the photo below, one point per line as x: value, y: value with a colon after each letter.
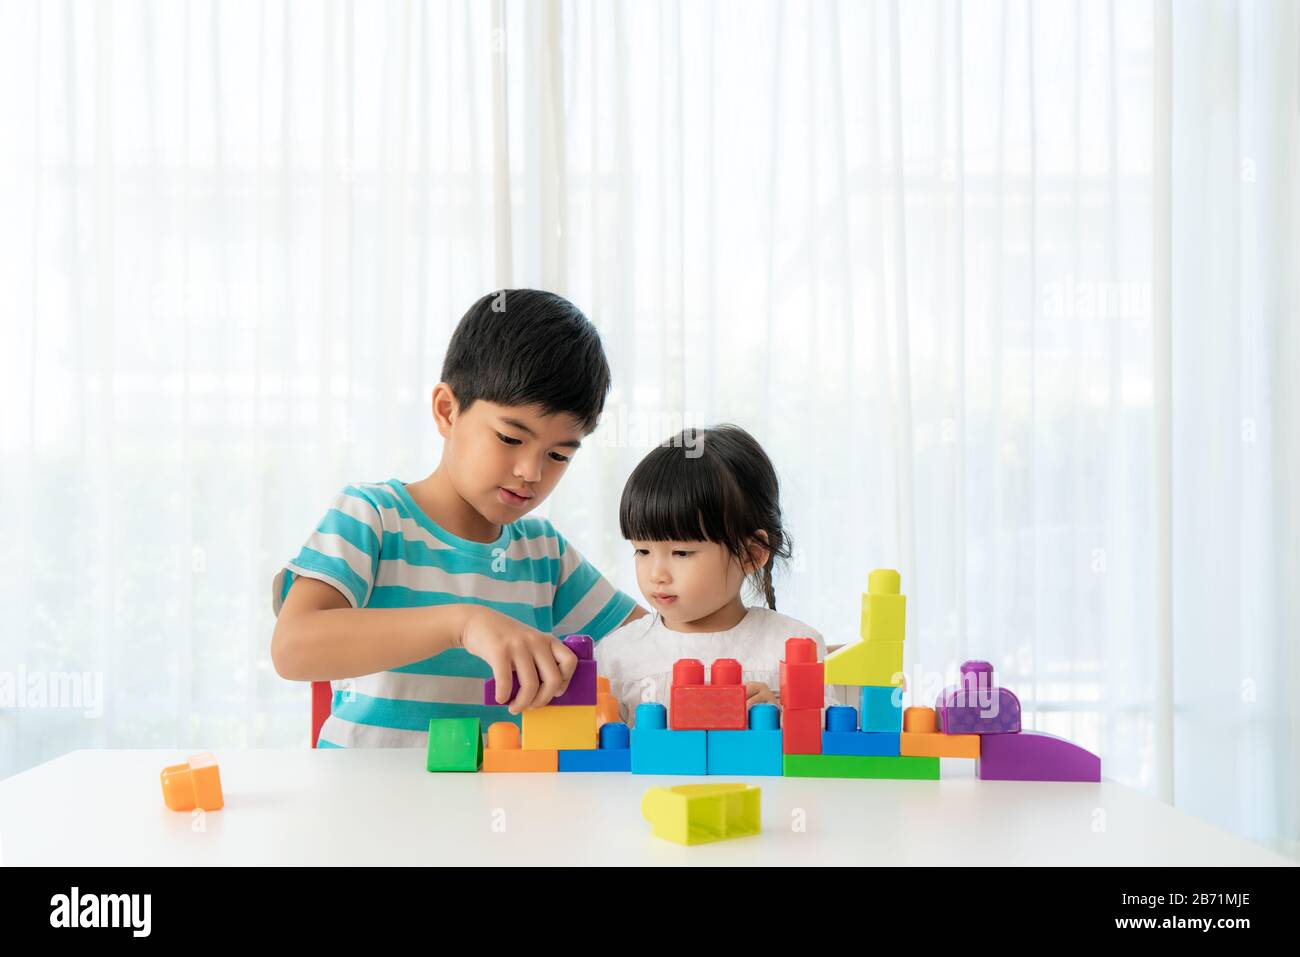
x: 714, y: 486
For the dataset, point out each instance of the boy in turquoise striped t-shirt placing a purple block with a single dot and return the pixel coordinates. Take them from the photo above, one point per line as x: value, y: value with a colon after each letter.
x: 417, y: 592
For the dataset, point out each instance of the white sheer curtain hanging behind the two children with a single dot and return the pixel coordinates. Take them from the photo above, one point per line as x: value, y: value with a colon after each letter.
x: 909, y: 245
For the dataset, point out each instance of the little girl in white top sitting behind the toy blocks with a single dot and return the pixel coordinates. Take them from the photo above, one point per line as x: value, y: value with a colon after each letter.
x: 704, y: 516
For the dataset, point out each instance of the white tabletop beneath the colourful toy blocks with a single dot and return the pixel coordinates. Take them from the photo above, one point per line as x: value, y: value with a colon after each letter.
x: 382, y: 807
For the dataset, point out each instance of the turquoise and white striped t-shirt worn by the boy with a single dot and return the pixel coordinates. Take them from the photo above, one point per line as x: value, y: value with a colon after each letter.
x: 380, y: 551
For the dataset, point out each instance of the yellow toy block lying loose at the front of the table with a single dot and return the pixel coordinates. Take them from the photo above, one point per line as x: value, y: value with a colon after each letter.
x: 704, y: 813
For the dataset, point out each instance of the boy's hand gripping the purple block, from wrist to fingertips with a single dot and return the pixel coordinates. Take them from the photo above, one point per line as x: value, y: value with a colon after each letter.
x: 543, y: 664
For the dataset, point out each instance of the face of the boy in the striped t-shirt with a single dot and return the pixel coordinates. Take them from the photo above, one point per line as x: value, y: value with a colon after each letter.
x: 505, y: 461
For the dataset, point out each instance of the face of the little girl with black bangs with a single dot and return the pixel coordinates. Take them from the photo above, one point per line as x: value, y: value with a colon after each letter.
x: 686, y: 582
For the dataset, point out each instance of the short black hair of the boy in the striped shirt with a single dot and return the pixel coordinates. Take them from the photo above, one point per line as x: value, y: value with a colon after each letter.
x: 528, y: 348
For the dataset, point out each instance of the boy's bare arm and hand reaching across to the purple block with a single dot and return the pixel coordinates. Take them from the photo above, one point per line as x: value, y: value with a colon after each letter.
x: 320, y: 638
